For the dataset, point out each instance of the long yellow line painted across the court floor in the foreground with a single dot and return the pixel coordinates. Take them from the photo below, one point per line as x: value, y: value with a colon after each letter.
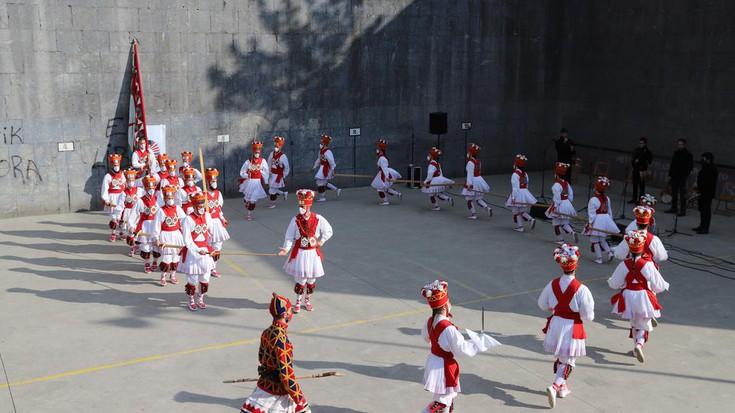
x: 251, y: 341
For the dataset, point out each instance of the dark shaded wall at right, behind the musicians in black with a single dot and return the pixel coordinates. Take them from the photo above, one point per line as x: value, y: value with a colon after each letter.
x: 662, y: 69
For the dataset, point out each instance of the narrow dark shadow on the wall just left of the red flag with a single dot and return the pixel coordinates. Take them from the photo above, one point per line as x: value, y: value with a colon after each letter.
x: 116, y: 134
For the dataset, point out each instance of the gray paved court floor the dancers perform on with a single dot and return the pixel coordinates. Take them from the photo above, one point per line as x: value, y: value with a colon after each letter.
x: 84, y: 329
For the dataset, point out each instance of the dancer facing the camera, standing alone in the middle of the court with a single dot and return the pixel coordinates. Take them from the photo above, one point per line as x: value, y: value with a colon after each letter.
x: 307, y: 232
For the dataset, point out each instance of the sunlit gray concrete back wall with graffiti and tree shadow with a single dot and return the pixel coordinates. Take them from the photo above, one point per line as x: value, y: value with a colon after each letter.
x: 261, y: 68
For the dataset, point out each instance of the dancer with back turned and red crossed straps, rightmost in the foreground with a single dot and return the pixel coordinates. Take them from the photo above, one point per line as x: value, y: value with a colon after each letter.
x: 640, y: 281
